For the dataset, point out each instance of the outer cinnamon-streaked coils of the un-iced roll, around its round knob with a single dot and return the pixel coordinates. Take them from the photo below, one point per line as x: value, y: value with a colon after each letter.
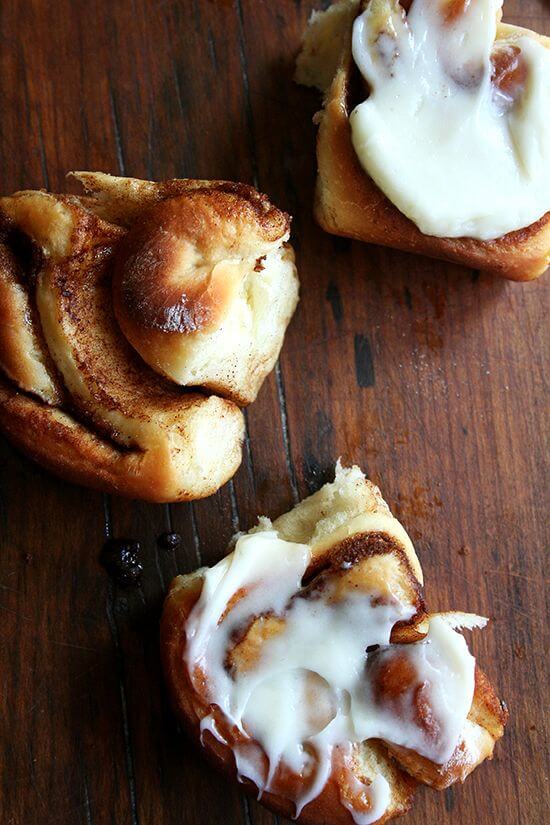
x: 80, y: 400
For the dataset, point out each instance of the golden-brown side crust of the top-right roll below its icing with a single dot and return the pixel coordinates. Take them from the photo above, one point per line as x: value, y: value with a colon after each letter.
x: 348, y: 202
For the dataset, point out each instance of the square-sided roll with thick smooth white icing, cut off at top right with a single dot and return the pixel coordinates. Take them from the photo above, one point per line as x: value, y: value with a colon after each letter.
x: 434, y: 136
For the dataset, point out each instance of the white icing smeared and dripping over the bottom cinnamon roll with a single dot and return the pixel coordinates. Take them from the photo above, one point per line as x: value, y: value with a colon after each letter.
x: 318, y: 684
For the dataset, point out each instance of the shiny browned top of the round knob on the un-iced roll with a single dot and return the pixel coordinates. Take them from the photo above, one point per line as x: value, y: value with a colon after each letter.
x: 178, y: 267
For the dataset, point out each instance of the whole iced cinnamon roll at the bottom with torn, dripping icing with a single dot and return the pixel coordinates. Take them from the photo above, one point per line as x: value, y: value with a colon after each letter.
x: 307, y: 665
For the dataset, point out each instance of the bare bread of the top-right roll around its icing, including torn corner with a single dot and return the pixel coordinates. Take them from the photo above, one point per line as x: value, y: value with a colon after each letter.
x: 349, y: 203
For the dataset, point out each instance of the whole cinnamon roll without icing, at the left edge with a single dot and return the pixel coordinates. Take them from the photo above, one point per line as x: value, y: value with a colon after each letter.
x: 109, y: 301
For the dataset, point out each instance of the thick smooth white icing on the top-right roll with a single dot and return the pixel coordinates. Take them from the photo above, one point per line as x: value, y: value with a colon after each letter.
x: 455, y: 153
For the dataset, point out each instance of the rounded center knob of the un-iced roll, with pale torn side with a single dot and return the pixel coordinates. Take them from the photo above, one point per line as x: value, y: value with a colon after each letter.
x: 205, y: 282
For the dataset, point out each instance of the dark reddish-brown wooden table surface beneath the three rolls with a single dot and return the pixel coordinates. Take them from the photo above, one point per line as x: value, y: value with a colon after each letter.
x: 427, y: 375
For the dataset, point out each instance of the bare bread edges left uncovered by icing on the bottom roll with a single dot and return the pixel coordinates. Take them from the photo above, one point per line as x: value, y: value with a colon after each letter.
x: 330, y: 522
